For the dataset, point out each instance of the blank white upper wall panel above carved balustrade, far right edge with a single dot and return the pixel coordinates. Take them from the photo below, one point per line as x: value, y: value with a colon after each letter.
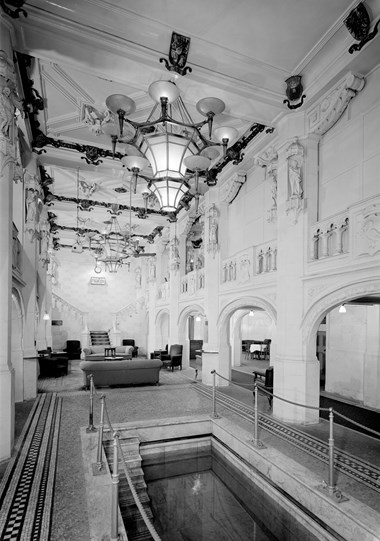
x: 350, y: 153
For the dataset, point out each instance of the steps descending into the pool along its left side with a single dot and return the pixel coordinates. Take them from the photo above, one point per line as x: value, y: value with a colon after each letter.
x: 134, y: 523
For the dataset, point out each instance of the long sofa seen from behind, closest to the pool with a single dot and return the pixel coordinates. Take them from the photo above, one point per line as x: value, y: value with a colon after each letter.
x: 126, y: 372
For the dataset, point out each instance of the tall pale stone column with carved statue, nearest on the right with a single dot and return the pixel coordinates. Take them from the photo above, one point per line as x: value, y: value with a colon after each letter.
x: 296, y: 378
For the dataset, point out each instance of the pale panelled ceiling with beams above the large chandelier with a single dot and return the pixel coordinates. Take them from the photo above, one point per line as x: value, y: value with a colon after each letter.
x: 241, y: 51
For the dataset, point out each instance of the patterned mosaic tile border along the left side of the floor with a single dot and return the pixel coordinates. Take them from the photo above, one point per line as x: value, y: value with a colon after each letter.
x: 26, y: 491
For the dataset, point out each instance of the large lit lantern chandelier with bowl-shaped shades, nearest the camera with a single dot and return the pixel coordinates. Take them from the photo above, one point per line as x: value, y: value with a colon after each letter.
x: 168, y: 138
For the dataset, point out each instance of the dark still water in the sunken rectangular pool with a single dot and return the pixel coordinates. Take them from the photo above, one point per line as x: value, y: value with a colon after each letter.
x: 208, y: 497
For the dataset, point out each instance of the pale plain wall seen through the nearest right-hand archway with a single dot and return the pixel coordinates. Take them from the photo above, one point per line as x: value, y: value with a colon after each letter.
x: 345, y: 351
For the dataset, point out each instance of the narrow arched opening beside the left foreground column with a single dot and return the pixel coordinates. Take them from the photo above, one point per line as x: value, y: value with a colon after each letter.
x: 17, y: 354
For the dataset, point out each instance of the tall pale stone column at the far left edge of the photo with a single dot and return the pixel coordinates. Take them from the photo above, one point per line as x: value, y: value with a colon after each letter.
x: 7, y: 164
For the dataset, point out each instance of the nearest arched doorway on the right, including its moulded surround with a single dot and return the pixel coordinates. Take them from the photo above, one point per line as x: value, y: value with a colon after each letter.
x: 350, y: 318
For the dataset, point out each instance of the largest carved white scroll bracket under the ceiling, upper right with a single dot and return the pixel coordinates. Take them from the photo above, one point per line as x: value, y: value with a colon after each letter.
x: 328, y: 109
